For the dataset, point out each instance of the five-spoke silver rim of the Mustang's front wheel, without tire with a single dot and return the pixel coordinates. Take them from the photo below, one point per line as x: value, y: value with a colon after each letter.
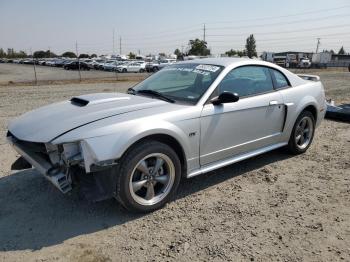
x: 152, y: 179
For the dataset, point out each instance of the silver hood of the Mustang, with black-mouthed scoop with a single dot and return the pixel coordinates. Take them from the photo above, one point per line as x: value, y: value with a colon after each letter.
x: 49, y: 122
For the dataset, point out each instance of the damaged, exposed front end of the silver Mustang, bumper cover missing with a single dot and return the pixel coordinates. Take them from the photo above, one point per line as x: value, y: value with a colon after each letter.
x: 64, y: 166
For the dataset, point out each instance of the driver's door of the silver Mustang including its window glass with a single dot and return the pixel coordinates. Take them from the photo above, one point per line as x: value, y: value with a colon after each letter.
x: 254, y: 121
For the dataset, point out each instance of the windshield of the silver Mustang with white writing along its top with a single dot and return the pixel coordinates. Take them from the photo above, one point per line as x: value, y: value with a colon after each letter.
x: 182, y: 82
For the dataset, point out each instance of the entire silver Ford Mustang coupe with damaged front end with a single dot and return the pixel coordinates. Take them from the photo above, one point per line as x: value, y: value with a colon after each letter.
x: 189, y: 118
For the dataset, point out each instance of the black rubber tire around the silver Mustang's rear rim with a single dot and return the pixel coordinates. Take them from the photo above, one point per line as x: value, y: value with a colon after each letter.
x: 293, y: 146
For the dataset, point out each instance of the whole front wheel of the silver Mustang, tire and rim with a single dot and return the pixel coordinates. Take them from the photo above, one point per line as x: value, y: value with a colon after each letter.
x: 148, y: 176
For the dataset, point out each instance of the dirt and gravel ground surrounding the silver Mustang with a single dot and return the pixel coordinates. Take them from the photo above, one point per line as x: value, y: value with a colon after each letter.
x: 275, y: 207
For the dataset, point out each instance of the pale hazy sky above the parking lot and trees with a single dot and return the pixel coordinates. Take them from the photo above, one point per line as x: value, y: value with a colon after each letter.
x: 155, y: 26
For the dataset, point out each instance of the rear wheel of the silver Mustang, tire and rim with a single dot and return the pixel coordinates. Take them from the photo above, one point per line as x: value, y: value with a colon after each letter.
x: 302, y: 133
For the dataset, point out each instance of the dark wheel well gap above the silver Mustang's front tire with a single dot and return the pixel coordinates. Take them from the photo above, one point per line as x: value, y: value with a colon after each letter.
x: 170, y: 141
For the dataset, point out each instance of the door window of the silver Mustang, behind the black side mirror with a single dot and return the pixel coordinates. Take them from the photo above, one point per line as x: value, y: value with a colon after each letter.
x: 247, y: 80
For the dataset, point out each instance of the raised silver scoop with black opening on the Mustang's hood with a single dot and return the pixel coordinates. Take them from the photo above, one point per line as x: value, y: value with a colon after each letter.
x: 85, y: 100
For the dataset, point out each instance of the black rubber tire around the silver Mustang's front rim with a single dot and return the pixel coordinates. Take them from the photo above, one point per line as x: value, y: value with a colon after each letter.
x: 129, y: 163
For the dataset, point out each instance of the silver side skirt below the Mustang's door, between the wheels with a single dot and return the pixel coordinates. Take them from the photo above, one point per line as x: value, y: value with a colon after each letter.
x: 235, y: 159
